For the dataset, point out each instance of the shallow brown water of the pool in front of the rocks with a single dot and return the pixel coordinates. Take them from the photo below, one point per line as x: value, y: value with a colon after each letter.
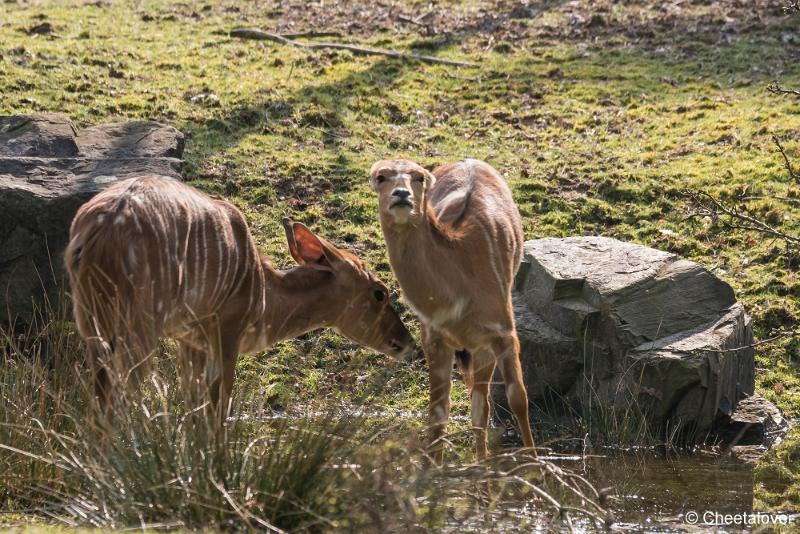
x: 647, y: 492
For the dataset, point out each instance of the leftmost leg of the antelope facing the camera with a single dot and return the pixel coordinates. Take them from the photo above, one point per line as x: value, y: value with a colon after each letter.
x: 440, y: 371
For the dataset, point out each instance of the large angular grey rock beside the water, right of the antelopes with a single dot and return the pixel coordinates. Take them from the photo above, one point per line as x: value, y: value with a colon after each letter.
x: 612, y: 326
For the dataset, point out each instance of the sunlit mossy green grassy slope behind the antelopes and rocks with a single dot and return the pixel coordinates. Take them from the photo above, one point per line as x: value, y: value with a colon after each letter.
x: 598, y: 127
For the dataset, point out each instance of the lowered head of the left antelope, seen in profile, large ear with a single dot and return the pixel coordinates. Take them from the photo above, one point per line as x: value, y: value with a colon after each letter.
x: 355, y: 303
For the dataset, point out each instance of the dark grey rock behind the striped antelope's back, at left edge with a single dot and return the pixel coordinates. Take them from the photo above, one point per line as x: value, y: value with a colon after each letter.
x: 48, y: 169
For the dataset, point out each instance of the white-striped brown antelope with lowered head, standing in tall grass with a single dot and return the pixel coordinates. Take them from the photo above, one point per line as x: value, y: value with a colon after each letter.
x: 151, y: 257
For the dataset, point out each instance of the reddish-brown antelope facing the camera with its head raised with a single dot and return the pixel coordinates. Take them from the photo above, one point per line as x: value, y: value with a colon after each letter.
x: 455, y: 243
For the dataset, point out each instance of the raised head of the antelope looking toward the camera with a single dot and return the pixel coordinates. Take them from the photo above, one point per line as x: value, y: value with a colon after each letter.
x: 402, y: 188
